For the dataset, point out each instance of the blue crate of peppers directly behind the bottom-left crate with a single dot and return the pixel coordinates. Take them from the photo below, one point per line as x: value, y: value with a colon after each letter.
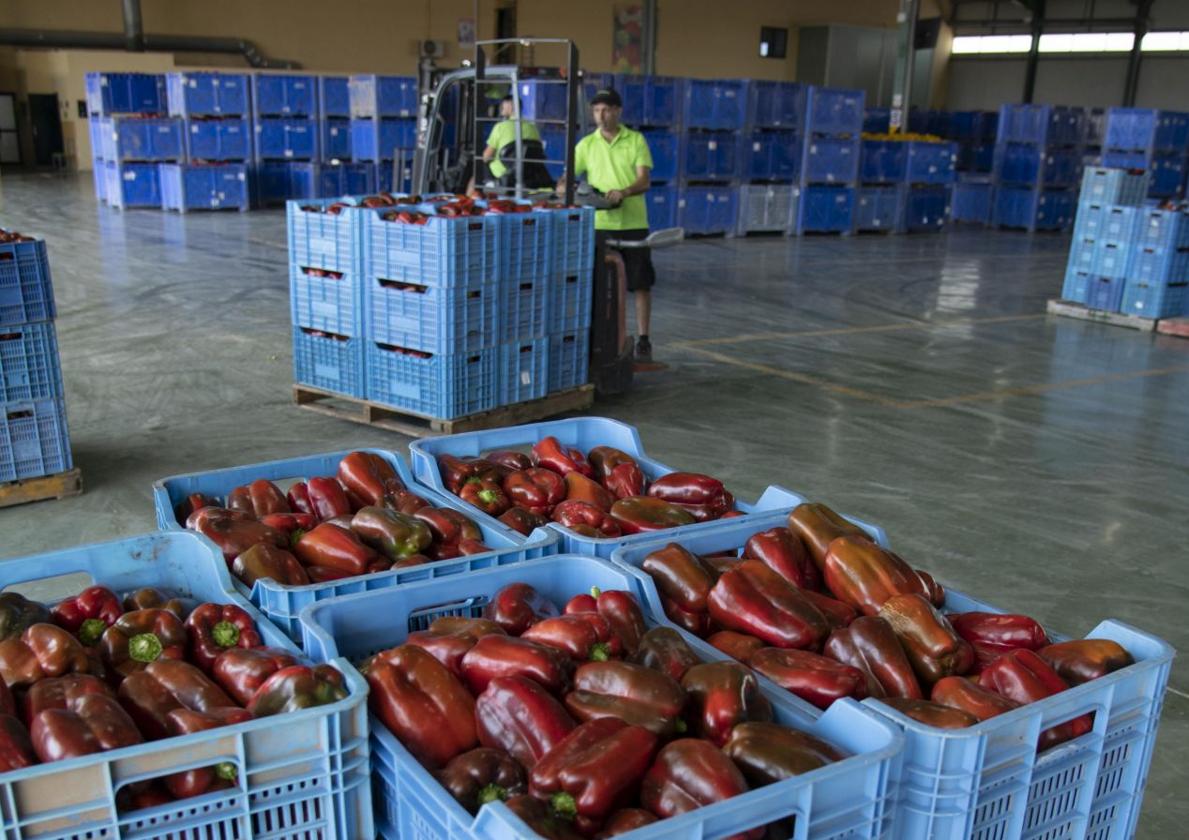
x: 301, y: 530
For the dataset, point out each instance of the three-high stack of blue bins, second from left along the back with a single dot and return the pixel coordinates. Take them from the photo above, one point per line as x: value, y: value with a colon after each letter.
x: 215, y: 110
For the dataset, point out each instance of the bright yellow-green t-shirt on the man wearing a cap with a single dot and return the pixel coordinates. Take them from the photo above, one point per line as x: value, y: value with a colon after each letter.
x: 613, y: 166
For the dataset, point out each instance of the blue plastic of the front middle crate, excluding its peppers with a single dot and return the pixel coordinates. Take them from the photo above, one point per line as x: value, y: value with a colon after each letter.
x: 846, y: 799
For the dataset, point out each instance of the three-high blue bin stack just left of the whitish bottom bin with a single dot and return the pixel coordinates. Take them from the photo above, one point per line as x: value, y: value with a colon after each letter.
x: 710, y: 159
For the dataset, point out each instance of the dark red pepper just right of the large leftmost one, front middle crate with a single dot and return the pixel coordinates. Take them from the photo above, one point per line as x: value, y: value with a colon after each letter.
x: 518, y: 716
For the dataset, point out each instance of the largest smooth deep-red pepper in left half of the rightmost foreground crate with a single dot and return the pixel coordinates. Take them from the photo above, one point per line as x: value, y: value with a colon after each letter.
x: 753, y: 599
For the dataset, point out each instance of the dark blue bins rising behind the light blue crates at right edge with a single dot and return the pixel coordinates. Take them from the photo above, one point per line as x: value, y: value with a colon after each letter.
x: 1156, y: 141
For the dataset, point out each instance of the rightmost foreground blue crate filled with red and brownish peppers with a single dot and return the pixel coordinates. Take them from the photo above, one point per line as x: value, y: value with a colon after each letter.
x: 1011, y: 731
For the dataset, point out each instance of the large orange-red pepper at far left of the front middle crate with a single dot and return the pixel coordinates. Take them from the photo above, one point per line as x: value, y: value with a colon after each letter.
x: 423, y: 704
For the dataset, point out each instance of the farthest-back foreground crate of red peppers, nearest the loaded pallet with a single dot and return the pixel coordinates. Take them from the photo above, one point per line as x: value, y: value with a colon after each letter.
x: 587, y: 478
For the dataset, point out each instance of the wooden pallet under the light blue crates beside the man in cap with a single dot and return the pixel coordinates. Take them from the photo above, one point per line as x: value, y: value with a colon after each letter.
x: 419, y: 425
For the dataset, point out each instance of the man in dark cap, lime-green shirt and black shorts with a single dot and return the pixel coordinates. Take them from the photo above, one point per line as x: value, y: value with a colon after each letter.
x: 616, y: 162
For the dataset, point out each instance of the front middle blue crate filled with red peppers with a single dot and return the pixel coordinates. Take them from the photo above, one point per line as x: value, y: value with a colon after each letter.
x: 544, y: 700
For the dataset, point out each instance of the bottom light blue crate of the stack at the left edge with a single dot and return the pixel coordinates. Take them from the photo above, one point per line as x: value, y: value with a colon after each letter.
x: 34, y: 440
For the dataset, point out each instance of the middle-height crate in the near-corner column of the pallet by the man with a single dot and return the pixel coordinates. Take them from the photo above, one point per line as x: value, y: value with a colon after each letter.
x: 436, y: 319
